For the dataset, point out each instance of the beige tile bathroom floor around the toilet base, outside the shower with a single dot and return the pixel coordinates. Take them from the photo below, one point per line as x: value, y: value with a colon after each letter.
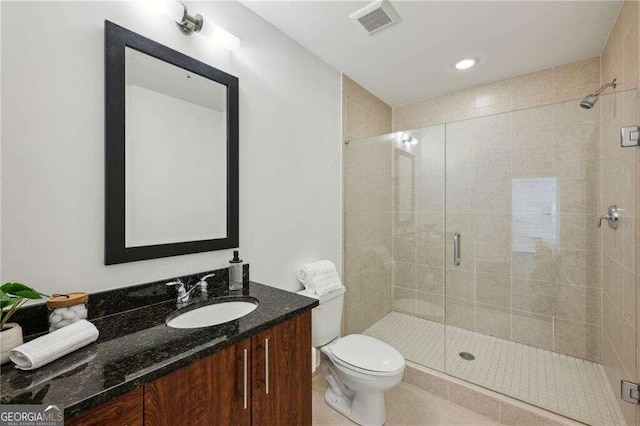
x: 406, y: 405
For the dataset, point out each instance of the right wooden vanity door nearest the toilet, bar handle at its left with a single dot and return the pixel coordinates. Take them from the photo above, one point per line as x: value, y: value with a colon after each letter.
x: 281, y: 370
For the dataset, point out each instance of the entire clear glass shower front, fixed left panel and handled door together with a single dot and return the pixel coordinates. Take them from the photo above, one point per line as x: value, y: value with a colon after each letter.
x: 473, y: 248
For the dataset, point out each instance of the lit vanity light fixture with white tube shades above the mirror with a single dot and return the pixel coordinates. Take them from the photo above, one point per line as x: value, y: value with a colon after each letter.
x: 190, y: 24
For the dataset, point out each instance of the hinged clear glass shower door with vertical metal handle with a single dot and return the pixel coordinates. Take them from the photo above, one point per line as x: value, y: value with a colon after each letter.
x: 535, y: 306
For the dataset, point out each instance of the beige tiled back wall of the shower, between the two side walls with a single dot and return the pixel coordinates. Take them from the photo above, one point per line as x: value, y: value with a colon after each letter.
x: 548, y: 295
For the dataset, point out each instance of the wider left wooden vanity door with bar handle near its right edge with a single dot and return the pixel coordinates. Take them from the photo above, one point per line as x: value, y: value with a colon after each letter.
x: 212, y: 391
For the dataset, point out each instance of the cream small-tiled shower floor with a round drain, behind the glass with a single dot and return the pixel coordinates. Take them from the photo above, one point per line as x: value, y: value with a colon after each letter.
x: 570, y: 386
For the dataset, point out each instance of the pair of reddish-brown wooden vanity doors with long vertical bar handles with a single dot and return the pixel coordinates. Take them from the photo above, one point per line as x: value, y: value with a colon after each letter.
x: 275, y: 365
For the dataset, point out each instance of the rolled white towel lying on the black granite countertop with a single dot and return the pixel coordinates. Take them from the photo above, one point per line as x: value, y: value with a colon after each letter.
x: 54, y: 345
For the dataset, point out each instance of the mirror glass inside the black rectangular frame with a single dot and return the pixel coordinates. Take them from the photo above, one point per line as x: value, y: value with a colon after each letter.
x: 175, y: 154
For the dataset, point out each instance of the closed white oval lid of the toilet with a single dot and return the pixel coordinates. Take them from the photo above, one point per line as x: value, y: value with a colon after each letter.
x: 367, y: 353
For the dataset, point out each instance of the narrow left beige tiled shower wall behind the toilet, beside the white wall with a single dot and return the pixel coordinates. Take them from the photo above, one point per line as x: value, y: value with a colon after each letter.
x: 367, y: 217
